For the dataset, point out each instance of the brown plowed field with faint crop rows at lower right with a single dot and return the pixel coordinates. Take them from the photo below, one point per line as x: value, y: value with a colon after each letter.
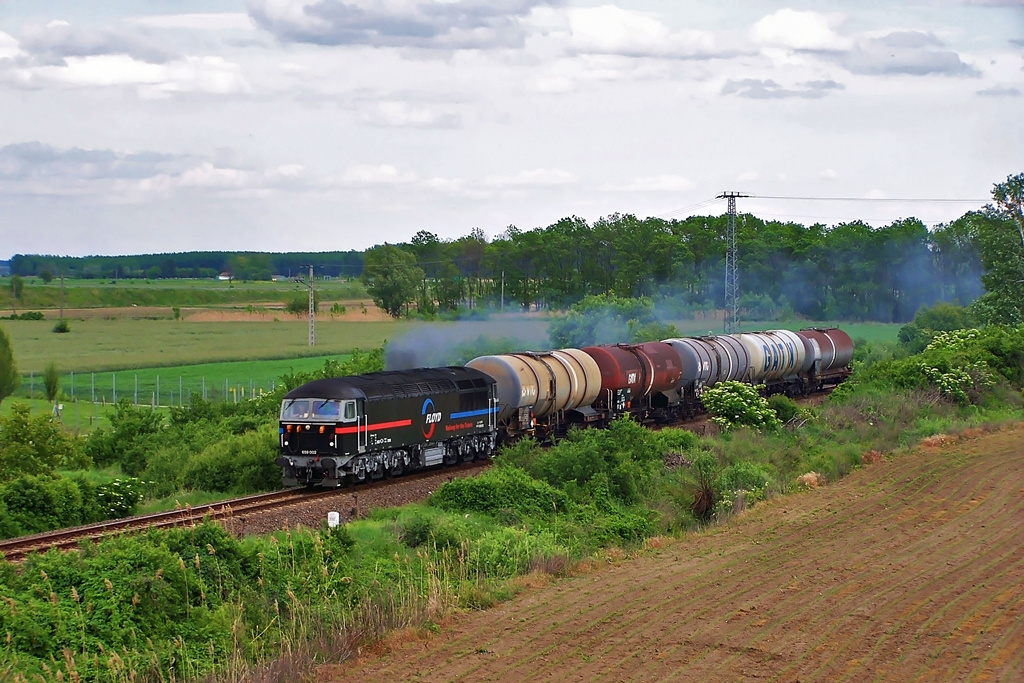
x: 912, y: 570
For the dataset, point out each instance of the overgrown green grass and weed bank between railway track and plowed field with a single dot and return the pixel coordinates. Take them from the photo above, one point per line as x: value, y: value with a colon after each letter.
x: 184, y: 604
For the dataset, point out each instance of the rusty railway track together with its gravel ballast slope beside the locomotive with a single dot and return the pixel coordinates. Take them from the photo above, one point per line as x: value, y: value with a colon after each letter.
x: 260, y: 514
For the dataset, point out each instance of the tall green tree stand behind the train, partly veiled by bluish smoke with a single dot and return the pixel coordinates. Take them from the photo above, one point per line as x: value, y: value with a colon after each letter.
x: 846, y: 272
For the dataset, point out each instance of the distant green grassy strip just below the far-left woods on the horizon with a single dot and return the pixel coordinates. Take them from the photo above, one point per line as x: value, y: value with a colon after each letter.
x: 170, y: 293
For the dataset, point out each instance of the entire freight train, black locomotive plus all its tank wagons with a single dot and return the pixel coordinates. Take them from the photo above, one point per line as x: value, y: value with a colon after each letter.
x: 350, y: 430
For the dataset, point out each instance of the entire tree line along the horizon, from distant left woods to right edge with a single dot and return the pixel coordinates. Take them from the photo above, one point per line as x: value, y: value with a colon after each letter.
x: 848, y: 272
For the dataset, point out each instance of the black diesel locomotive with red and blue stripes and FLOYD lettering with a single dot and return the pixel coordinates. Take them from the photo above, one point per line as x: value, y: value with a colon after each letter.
x: 369, y: 426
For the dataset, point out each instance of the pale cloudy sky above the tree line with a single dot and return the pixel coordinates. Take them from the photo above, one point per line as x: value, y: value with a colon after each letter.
x: 133, y: 126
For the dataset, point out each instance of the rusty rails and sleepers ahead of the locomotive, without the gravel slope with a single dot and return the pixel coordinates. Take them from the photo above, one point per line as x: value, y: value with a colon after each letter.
x: 17, y: 549
